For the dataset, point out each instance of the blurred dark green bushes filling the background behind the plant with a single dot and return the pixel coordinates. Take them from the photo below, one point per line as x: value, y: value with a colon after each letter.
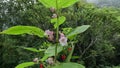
x: 103, y: 35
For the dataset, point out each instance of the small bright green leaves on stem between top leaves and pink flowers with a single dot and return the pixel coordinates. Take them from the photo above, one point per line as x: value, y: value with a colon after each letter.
x: 61, y: 20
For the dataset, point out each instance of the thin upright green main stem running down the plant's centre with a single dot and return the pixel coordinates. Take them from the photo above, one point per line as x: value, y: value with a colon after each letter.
x: 57, y: 30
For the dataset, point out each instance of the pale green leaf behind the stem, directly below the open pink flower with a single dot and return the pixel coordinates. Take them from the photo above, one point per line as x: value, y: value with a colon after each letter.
x: 51, y: 50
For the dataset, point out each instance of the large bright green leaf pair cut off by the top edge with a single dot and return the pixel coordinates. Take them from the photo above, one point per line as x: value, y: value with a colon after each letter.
x: 60, y: 3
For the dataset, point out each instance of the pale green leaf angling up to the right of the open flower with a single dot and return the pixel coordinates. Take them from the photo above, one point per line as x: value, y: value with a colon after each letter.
x: 78, y: 30
